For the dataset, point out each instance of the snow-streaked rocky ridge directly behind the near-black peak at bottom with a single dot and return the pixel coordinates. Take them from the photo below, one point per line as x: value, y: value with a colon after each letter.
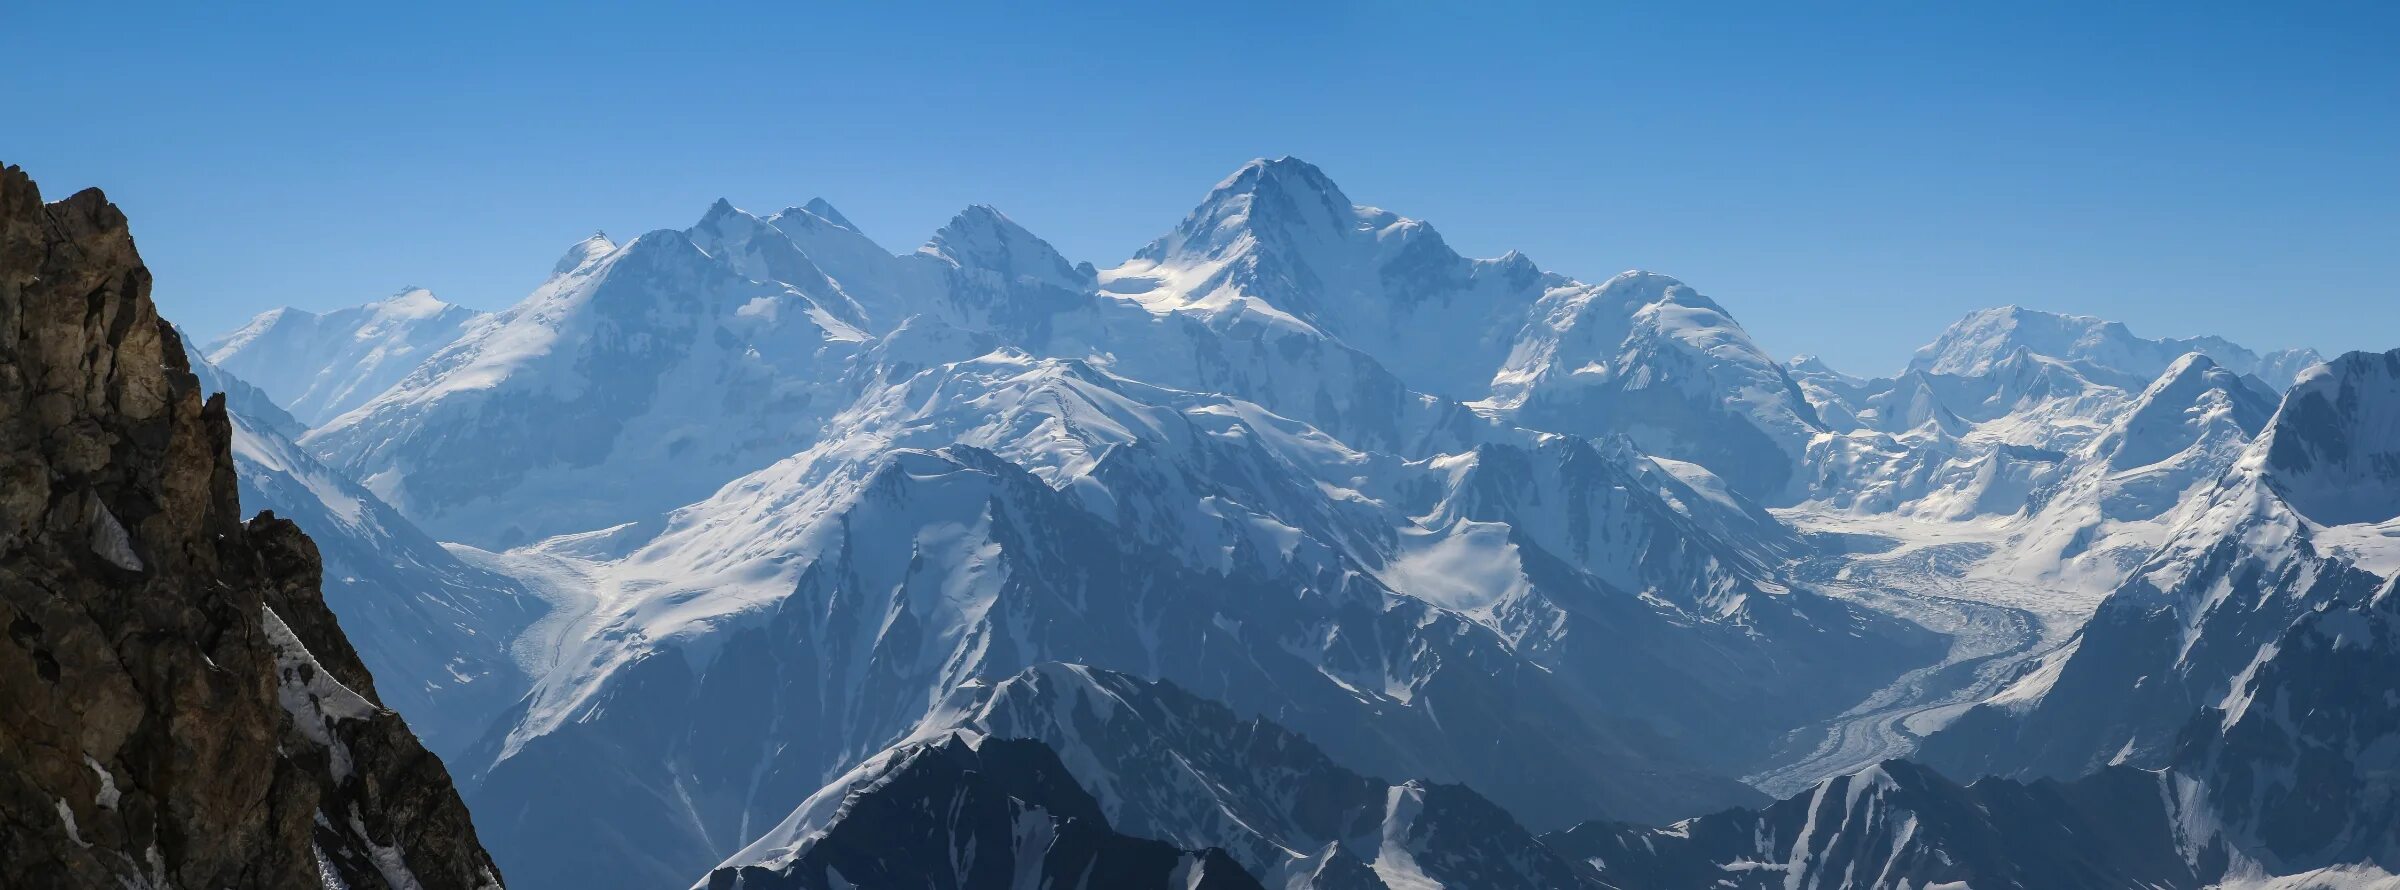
x: 1172, y: 766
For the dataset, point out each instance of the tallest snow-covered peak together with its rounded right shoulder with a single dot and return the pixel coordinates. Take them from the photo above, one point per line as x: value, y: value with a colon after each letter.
x: 1278, y: 246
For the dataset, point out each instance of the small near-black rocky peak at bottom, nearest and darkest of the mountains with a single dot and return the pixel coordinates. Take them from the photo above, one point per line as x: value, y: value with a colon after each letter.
x: 966, y: 812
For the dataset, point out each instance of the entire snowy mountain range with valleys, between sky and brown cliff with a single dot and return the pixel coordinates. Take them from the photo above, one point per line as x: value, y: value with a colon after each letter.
x: 1300, y: 551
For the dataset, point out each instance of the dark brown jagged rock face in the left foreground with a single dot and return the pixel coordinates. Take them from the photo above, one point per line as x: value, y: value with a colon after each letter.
x: 176, y: 704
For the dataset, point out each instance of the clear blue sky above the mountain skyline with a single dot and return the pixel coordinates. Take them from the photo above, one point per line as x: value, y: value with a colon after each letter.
x: 1847, y: 179
